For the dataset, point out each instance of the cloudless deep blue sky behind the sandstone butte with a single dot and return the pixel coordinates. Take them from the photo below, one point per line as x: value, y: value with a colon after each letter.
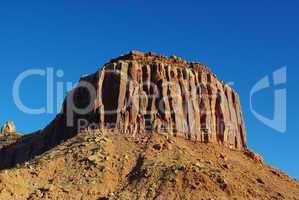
x: 241, y: 41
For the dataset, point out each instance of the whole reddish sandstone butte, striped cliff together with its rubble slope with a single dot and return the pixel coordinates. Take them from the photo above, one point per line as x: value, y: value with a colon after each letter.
x: 177, y: 133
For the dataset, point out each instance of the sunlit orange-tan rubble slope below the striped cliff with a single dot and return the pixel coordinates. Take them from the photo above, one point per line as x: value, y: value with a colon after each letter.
x: 108, y: 165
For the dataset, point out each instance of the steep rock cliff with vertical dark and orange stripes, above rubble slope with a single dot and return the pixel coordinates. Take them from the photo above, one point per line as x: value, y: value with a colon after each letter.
x: 146, y: 92
